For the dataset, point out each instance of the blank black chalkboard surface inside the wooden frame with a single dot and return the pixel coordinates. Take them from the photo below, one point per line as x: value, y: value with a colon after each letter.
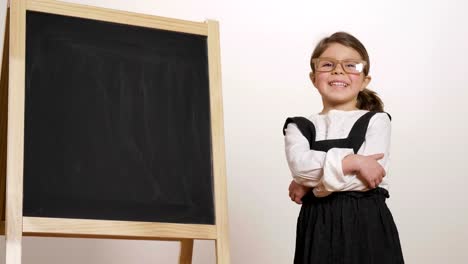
x: 117, y: 122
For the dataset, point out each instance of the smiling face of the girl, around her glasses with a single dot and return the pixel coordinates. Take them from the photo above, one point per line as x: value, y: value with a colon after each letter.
x: 338, y: 87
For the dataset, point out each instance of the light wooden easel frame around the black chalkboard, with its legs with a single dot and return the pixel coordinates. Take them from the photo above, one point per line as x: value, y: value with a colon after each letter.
x: 16, y: 225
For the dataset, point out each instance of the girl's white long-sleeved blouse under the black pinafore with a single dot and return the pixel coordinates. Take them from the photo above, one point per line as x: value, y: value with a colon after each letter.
x: 323, y: 170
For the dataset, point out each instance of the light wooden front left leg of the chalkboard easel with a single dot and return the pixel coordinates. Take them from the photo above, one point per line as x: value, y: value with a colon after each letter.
x: 15, y: 136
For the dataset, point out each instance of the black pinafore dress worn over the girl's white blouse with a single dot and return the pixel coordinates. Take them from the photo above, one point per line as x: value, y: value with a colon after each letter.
x: 345, y: 227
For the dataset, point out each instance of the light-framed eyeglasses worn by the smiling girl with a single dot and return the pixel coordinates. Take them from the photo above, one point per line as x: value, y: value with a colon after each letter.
x: 329, y: 64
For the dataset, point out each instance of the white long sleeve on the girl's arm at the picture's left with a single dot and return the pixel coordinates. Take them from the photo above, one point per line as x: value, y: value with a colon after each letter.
x: 306, y: 165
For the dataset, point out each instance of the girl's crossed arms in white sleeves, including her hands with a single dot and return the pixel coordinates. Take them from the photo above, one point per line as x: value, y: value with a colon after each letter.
x: 338, y: 169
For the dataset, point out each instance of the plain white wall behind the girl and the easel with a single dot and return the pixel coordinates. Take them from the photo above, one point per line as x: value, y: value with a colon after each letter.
x: 419, y: 67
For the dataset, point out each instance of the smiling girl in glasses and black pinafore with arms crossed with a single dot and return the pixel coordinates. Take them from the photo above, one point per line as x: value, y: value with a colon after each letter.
x: 338, y: 159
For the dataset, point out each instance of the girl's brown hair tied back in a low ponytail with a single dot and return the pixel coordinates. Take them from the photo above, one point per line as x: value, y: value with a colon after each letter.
x: 367, y: 99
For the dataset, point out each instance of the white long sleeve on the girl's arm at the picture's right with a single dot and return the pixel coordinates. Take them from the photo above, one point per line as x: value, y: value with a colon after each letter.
x: 377, y: 141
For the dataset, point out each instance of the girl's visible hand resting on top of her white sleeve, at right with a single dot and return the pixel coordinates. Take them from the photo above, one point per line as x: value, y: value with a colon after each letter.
x: 366, y: 168
